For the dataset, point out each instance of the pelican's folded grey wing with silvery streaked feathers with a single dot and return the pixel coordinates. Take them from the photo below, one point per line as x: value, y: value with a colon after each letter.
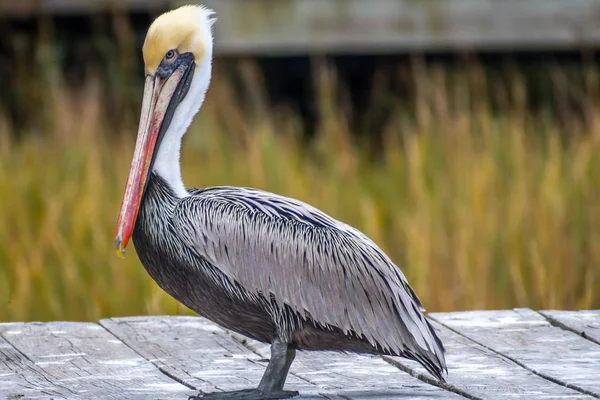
x: 310, y: 262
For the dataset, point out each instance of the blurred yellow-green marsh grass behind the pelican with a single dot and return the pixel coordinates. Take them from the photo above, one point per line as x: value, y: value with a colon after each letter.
x: 482, y: 207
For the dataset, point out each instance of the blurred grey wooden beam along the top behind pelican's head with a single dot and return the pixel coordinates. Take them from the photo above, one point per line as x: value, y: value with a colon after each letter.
x: 375, y: 26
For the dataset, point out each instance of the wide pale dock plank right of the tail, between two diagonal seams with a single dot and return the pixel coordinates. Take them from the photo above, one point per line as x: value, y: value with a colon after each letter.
x: 527, y: 338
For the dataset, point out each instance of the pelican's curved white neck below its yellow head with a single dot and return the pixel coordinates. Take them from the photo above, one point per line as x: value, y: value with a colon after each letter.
x: 166, y: 163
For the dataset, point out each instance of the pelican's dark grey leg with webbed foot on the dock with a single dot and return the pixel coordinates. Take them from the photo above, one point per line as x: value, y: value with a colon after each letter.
x: 271, y: 384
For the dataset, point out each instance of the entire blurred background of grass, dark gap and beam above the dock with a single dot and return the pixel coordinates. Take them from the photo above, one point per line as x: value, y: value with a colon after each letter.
x: 462, y: 136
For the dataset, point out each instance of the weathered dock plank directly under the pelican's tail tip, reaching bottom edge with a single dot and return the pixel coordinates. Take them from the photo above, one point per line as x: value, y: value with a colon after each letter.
x: 484, y: 374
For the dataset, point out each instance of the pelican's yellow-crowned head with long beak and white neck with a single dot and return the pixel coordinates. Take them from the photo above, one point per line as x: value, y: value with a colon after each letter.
x: 177, y: 58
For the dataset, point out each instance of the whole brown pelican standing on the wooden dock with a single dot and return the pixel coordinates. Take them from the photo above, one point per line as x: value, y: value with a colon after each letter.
x: 265, y: 266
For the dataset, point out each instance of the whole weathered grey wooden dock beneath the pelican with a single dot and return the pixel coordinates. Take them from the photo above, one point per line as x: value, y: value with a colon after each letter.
x: 520, y: 354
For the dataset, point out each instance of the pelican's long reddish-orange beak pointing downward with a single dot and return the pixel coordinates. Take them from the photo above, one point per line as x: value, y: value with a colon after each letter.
x: 161, y: 96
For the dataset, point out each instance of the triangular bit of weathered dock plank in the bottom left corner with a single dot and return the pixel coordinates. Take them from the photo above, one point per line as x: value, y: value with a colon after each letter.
x: 21, y: 378
